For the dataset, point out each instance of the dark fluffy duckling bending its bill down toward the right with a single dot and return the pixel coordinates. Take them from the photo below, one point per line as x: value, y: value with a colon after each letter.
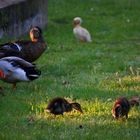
x: 59, y: 105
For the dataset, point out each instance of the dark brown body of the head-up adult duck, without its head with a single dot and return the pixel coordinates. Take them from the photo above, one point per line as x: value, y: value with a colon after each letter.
x: 26, y: 49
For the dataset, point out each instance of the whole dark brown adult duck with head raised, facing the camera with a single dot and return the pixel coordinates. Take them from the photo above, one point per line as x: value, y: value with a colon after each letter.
x: 29, y: 50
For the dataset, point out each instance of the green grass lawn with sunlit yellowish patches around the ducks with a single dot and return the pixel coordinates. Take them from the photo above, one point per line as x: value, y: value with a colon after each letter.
x: 96, y: 74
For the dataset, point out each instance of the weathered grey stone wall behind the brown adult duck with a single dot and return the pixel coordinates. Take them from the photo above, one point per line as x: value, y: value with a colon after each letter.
x: 17, y: 16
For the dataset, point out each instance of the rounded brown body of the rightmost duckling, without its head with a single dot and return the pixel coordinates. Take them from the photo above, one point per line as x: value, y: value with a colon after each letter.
x: 121, y: 108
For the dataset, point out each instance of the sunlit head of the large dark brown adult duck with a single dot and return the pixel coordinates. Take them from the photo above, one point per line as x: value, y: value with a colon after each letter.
x: 35, y: 34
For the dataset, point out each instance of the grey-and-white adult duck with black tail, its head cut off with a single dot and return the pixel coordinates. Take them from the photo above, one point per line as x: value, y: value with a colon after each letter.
x: 14, y: 69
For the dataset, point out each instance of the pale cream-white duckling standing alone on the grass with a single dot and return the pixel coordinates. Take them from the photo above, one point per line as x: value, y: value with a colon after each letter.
x: 81, y: 33
